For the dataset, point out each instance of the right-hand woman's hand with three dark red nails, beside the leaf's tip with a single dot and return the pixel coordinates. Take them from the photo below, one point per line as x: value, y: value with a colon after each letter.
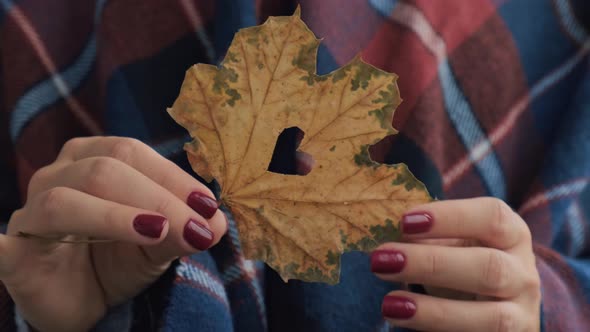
x: 476, y: 247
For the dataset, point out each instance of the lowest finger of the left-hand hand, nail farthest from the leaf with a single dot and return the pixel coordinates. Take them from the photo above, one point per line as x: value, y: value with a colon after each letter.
x: 63, y: 211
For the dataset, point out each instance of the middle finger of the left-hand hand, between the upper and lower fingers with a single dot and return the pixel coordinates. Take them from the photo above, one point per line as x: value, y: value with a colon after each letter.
x: 115, y: 181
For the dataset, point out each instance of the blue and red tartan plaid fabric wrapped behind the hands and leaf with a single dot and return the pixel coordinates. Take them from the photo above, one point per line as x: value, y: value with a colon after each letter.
x: 496, y: 102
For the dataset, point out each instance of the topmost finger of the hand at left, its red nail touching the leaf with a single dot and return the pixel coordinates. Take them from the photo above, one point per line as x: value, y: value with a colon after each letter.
x: 148, y: 162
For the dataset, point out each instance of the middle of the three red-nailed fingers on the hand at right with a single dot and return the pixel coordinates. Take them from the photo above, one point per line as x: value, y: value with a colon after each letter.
x: 483, y: 271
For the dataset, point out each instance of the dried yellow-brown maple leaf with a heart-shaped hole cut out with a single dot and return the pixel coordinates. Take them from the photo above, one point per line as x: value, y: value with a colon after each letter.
x: 299, y: 225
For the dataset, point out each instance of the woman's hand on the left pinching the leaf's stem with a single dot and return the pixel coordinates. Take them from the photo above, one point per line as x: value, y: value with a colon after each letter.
x: 103, y: 188
